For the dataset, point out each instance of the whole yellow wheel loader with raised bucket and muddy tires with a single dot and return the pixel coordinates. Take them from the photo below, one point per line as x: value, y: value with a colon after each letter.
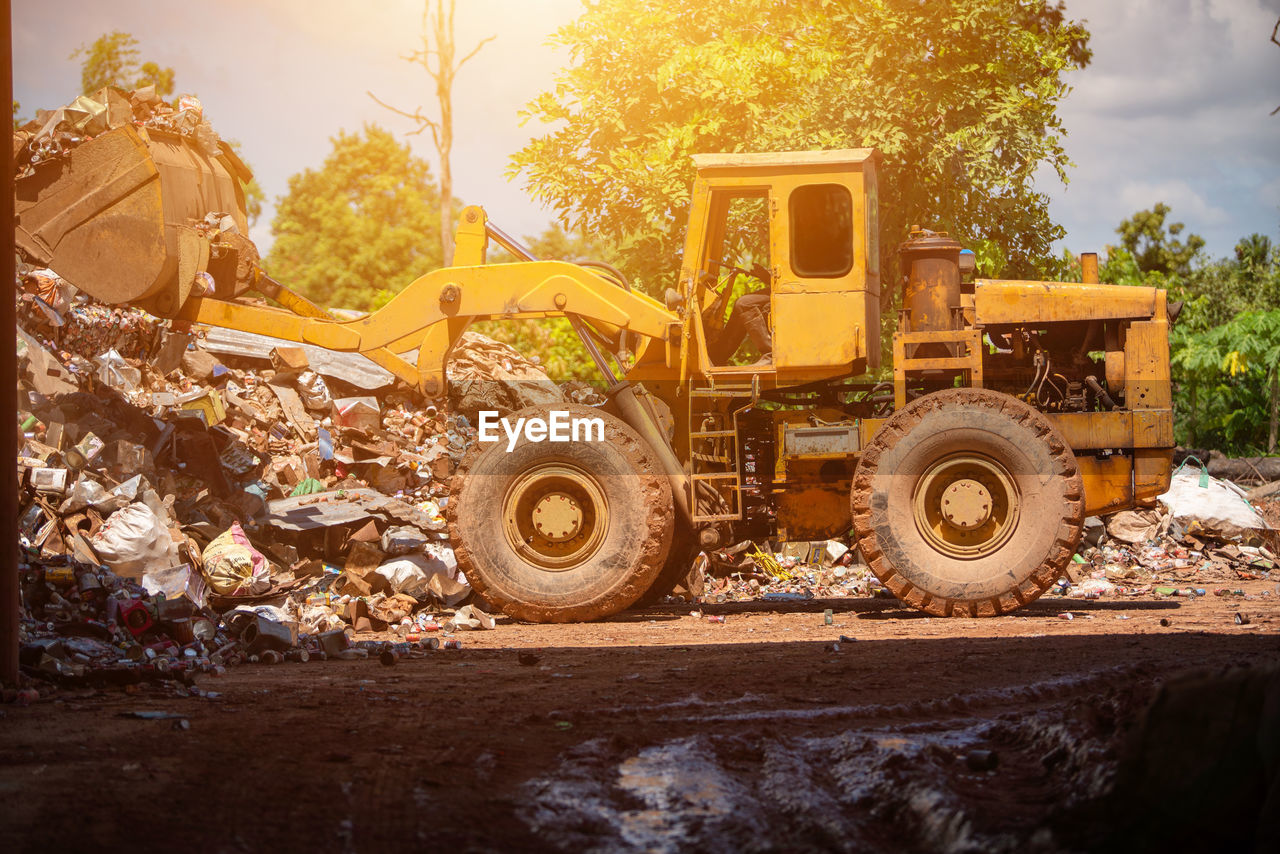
x: 1013, y: 409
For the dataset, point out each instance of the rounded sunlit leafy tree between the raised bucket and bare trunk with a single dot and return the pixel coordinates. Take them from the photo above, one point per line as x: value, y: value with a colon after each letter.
x: 367, y: 221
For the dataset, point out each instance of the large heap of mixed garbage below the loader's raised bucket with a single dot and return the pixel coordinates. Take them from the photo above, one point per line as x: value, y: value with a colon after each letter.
x: 182, y: 513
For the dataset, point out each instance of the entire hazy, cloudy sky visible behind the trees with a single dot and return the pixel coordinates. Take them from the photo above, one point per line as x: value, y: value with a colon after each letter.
x: 1176, y: 106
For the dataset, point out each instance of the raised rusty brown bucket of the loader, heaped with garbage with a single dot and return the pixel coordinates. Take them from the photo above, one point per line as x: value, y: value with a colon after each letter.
x: 116, y: 216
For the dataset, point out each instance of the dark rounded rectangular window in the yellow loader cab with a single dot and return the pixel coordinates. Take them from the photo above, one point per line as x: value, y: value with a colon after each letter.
x: 822, y: 231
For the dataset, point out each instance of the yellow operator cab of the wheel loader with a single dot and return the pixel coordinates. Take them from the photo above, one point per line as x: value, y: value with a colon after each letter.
x: 783, y: 263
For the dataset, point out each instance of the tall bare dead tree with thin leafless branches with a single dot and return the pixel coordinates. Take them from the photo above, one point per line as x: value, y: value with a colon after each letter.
x: 438, y: 45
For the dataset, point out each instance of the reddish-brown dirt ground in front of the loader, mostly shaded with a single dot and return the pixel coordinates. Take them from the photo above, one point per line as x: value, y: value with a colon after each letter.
x: 656, y: 730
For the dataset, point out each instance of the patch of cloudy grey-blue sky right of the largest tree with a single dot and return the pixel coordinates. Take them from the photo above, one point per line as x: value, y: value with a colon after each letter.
x: 1176, y: 108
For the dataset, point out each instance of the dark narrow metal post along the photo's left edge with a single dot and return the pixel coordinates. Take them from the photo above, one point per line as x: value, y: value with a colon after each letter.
x: 8, y: 375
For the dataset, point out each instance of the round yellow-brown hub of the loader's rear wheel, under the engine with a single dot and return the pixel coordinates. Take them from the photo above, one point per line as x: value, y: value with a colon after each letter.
x: 966, y: 506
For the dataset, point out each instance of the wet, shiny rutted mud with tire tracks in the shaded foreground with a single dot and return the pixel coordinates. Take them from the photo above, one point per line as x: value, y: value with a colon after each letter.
x: 886, y: 778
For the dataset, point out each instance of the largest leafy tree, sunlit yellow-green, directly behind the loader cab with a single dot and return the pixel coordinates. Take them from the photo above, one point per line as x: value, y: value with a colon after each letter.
x: 959, y: 97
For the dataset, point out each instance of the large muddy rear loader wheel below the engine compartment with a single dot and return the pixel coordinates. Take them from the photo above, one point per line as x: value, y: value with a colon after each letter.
x: 968, y: 503
